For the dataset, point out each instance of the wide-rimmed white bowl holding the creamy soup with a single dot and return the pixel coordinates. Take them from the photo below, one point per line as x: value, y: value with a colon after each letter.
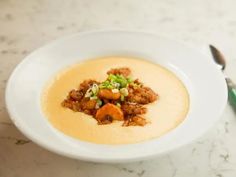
x: 205, y: 84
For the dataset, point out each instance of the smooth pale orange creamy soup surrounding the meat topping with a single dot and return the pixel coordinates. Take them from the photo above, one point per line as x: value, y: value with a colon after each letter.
x: 163, y: 115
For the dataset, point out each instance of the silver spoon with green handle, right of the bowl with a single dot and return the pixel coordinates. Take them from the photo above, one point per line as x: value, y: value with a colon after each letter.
x: 221, y: 62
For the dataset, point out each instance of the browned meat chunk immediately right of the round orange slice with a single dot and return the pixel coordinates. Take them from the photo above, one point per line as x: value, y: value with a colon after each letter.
x: 132, y: 109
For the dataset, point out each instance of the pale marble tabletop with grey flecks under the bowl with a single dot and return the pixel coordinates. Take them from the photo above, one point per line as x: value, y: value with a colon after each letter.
x: 26, y: 25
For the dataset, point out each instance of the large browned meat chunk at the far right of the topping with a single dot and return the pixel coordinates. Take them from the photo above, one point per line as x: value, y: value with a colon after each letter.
x: 141, y: 95
